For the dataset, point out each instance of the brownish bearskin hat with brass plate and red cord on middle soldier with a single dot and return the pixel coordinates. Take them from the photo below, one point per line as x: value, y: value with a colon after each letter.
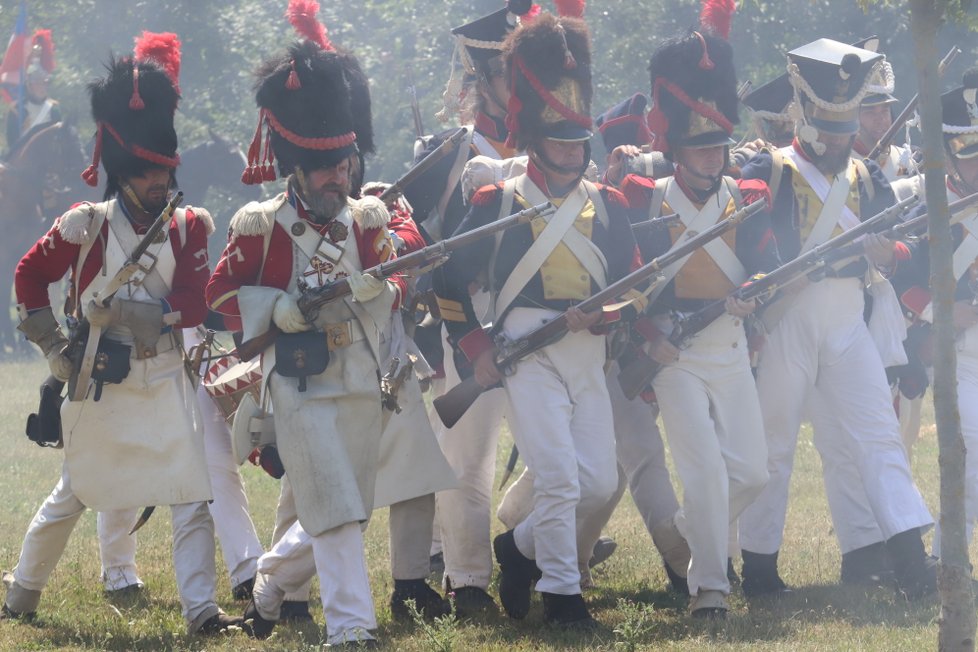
x: 548, y: 62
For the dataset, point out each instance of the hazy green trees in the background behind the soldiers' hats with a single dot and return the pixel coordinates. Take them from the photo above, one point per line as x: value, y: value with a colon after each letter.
x: 224, y: 41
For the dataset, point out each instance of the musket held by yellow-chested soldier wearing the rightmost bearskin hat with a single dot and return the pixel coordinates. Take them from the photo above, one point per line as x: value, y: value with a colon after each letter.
x: 638, y: 372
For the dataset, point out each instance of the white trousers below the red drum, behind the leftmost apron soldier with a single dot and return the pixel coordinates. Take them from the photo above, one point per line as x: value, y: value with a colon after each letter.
x: 240, y: 546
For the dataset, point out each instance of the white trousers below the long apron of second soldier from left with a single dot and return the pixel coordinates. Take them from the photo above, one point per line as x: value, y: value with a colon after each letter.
x: 338, y: 558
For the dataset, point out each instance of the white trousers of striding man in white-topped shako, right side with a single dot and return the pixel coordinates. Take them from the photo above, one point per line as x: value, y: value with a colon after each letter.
x: 822, y: 342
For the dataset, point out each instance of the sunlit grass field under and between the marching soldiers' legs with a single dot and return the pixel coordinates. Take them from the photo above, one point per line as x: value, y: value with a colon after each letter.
x: 630, y: 597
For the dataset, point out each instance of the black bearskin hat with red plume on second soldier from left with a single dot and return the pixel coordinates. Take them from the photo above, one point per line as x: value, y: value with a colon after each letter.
x: 314, y: 101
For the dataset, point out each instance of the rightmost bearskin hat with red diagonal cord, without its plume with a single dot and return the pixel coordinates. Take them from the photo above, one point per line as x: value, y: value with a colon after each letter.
x: 694, y: 92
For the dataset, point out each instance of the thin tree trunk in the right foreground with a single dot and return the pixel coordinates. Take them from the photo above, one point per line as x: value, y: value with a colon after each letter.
x: 957, y: 622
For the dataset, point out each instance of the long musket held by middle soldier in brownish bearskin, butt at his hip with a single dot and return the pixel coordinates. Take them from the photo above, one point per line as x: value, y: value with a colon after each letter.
x: 453, y: 404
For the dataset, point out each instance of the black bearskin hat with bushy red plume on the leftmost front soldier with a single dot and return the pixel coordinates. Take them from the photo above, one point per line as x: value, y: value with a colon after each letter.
x: 133, y: 108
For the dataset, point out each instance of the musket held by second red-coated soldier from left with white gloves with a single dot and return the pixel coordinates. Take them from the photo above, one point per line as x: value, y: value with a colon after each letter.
x: 312, y: 300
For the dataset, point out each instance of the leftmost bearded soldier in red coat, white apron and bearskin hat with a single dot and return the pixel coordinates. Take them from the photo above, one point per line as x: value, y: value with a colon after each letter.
x: 136, y: 441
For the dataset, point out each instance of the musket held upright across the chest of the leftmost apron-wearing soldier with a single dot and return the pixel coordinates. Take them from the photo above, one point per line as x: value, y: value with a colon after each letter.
x: 139, y: 260
